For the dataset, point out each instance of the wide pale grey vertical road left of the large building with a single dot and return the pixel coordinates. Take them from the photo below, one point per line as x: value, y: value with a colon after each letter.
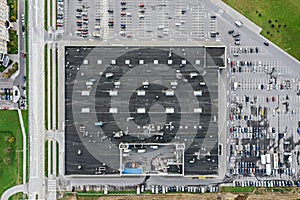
x: 36, y: 106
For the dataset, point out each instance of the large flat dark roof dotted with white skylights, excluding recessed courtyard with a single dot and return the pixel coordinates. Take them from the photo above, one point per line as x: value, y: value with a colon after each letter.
x: 138, y: 95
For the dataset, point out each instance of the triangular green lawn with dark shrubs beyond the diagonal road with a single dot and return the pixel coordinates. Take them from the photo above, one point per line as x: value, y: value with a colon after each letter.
x: 279, y: 20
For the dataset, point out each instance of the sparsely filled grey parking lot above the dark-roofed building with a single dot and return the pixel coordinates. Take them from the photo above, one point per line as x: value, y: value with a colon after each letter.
x: 130, y: 20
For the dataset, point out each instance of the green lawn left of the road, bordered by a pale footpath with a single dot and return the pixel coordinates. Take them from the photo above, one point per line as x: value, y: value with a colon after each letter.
x: 10, y: 150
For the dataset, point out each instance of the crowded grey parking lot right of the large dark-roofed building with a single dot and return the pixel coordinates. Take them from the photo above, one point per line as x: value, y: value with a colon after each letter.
x: 263, y: 117
